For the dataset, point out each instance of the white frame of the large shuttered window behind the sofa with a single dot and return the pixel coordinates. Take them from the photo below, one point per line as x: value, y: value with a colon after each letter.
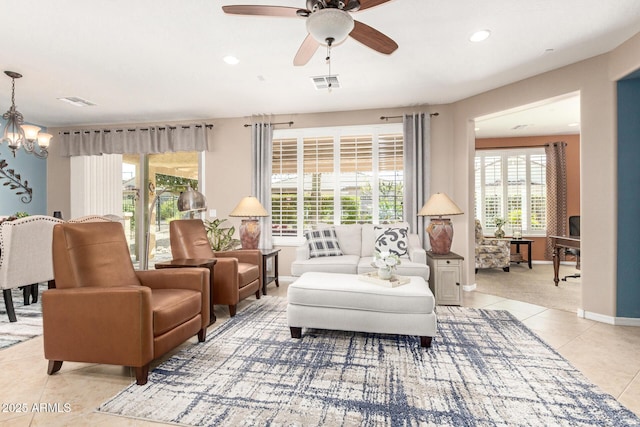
x: 336, y: 133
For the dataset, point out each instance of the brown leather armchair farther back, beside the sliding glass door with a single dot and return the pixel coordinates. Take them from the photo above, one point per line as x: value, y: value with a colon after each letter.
x: 238, y: 274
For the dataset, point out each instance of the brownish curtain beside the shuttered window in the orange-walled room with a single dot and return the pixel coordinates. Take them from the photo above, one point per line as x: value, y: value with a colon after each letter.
x: 556, y: 194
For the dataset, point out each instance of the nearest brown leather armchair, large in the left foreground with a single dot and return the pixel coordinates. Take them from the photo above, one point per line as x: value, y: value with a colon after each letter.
x: 103, y: 311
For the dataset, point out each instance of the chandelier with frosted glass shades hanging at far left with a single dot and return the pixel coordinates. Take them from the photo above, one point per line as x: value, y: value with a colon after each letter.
x: 17, y: 134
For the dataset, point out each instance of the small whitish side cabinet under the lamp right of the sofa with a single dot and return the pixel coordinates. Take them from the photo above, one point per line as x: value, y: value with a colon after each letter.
x: 446, y: 271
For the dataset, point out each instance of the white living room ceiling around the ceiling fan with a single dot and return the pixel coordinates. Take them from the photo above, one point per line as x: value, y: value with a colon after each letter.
x: 161, y: 60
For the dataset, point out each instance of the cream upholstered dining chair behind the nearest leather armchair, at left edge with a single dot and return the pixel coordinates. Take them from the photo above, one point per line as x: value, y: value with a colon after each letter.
x: 25, y: 257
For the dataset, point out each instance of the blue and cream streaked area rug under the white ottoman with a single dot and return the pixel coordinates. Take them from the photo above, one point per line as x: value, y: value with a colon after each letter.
x: 484, y: 368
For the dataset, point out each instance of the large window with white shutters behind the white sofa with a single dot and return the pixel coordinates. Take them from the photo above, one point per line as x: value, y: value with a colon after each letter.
x: 341, y: 175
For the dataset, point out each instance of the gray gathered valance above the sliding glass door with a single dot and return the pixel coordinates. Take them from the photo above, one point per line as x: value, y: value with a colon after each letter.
x: 138, y: 140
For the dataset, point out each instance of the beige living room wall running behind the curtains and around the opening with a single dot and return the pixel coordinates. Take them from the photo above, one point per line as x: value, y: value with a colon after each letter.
x: 228, y: 173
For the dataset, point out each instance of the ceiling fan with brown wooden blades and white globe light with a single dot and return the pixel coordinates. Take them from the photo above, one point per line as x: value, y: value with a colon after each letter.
x: 328, y: 22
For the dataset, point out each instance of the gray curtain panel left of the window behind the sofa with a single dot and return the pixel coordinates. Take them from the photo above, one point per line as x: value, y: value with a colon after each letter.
x: 261, y: 149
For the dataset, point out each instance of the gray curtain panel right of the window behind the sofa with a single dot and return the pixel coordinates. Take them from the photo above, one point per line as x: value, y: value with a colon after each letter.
x: 417, y: 159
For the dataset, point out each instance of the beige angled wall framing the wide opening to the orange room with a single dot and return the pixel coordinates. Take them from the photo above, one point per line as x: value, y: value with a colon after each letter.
x: 594, y: 78
